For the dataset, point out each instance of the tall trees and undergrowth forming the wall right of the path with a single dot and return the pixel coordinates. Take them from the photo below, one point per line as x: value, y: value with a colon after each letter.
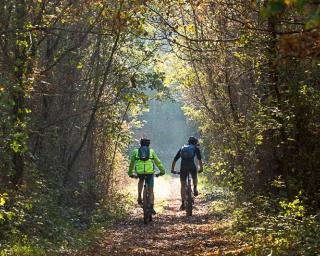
x: 250, y: 82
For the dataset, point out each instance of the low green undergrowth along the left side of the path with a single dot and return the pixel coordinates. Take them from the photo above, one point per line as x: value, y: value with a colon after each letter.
x: 40, y: 226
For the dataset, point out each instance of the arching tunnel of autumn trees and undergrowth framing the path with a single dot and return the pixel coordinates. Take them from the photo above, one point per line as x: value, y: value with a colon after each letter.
x: 76, y: 75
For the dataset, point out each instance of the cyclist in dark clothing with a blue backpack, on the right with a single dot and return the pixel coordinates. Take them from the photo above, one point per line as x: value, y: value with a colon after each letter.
x: 187, y: 154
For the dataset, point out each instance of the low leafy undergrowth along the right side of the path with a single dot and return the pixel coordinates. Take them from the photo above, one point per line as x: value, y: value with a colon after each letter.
x: 269, y: 226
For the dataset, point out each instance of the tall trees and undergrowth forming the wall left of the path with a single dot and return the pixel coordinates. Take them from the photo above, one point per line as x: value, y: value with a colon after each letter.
x: 69, y: 75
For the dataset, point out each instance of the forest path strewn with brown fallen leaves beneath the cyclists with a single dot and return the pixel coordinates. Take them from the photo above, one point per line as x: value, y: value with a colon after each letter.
x: 171, y: 232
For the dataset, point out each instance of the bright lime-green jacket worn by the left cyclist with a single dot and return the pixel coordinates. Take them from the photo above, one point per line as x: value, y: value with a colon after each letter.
x: 144, y: 167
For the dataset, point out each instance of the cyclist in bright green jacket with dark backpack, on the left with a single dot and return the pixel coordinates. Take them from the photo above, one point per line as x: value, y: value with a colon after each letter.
x: 142, y: 163
